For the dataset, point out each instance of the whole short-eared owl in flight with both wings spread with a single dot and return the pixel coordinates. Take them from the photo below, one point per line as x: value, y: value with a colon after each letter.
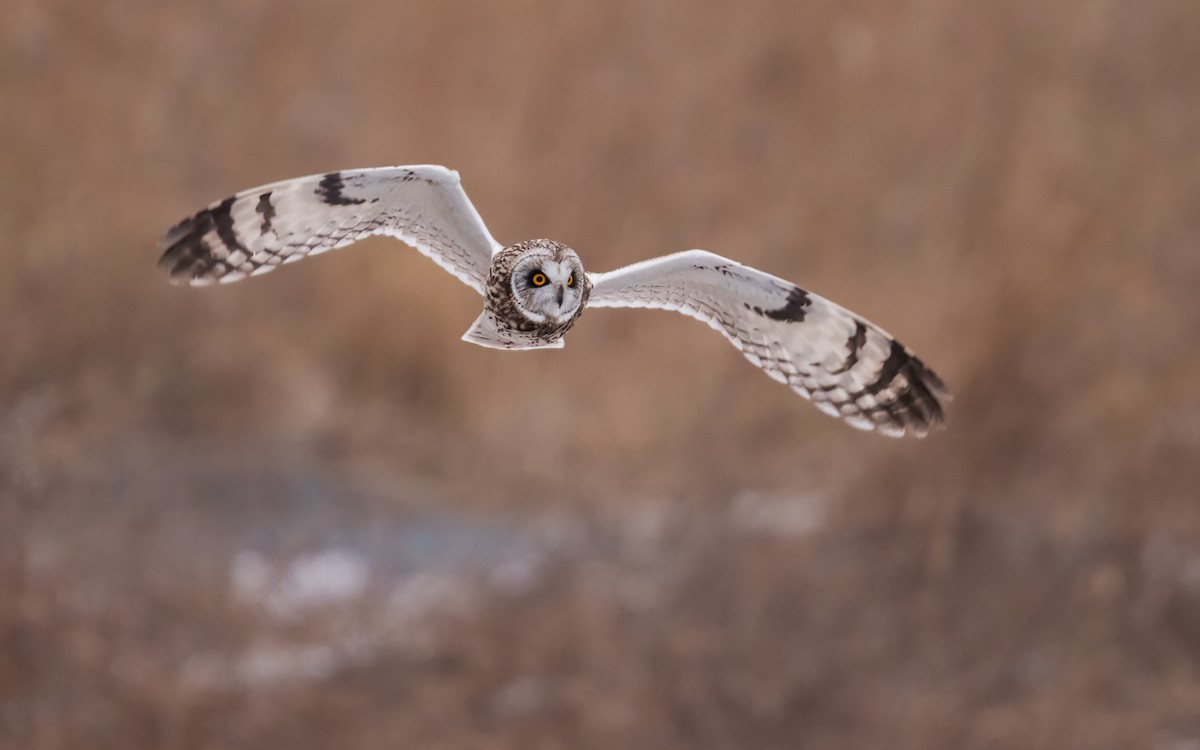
x: 536, y: 291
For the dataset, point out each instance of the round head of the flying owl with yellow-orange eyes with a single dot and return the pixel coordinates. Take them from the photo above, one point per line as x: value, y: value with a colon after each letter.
x: 548, y: 283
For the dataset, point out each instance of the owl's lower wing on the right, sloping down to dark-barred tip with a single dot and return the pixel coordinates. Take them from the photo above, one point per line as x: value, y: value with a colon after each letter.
x: 848, y: 367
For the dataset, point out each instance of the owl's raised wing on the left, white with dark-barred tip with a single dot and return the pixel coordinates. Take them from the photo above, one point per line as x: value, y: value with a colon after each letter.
x: 260, y: 230
